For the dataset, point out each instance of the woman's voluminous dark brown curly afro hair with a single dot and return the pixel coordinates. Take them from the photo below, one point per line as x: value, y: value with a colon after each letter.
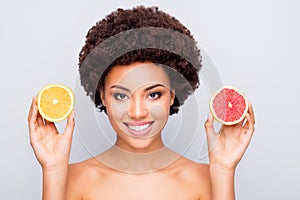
x: 138, y: 35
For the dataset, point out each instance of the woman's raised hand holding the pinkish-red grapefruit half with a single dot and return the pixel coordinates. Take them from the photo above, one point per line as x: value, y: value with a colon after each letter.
x: 228, y: 146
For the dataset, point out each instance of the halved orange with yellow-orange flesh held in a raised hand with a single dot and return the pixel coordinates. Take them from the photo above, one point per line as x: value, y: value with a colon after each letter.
x: 55, y: 102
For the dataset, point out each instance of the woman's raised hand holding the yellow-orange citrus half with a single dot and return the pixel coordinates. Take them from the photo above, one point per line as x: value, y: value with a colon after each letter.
x: 51, y: 149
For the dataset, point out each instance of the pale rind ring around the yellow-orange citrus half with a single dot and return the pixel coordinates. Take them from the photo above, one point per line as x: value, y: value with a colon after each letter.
x: 69, y: 110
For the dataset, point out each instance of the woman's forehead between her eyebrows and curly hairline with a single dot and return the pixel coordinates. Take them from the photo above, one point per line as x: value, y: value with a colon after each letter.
x: 137, y: 75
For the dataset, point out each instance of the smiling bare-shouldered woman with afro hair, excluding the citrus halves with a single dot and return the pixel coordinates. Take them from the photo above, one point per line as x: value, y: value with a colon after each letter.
x: 138, y: 73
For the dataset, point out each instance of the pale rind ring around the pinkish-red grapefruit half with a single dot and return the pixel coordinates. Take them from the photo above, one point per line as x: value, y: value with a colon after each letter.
x: 214, y: 113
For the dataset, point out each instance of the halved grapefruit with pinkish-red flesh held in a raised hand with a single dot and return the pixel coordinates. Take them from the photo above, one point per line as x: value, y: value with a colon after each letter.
x: 228, y: 105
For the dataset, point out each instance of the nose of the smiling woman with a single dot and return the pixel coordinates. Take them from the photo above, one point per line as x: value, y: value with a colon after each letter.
x: 137, y: 108
